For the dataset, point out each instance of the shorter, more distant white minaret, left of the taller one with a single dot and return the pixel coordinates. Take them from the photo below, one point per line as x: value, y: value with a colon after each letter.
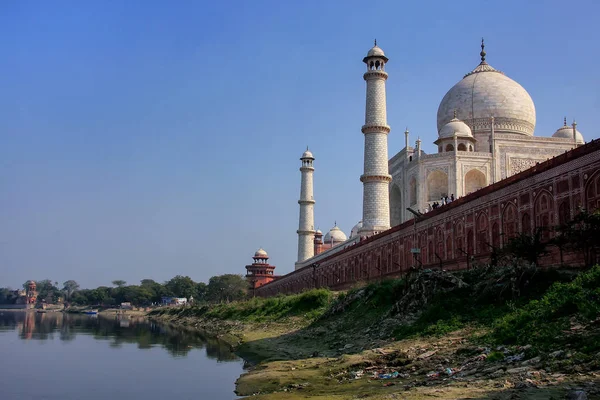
x: 306, y: 229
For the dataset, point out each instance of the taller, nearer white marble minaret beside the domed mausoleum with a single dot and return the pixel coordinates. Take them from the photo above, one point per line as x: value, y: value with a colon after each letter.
x: 376, y: 177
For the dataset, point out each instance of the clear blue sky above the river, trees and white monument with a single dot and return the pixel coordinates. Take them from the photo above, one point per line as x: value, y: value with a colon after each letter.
x: 146, y: 139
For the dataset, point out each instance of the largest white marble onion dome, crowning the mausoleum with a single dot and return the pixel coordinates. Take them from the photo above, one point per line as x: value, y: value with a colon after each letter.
x: 486, y: 92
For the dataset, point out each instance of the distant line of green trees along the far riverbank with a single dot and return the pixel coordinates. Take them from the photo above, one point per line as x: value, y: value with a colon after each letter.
x: 228, y: 287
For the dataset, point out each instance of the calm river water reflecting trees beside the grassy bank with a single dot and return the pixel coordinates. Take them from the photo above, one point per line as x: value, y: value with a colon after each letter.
x: 56, y: 356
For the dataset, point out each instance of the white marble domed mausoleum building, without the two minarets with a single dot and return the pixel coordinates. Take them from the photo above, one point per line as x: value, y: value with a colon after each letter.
x: 486, y: 126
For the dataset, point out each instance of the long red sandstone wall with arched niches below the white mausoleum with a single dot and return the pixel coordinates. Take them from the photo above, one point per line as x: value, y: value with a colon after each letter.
x: 464, y: 231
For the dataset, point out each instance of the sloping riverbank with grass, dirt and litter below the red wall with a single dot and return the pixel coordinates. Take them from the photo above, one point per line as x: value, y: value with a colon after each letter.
x: 501, y: 333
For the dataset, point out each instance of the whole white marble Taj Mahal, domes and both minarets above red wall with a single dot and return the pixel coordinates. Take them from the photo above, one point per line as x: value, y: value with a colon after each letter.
x: 485, y: 123
